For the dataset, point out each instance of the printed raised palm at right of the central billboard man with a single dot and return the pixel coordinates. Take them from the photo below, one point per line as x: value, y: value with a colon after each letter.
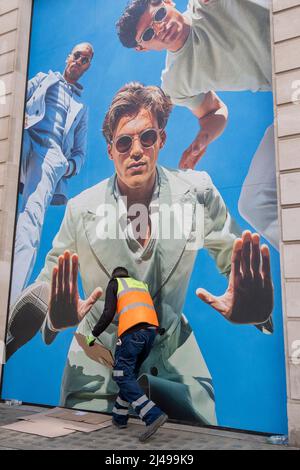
x: 249, y: 296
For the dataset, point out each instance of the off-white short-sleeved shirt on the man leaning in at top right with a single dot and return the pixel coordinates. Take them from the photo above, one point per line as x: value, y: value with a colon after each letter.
x: 228, y: 49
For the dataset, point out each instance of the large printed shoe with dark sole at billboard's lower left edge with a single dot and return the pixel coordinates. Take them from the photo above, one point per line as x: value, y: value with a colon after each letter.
x: 27, y: 316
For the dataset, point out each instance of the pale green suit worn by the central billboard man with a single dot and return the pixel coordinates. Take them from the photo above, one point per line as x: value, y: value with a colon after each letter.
x: 175, y: 374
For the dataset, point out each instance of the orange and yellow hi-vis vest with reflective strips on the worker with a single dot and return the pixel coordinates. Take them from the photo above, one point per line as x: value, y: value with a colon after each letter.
x: 134, y: 305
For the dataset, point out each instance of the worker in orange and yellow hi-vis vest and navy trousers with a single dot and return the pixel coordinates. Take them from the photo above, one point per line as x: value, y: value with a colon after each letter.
x: 129, y: 305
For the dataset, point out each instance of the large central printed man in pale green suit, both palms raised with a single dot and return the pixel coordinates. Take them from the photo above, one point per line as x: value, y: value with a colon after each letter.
x: 93, y: 240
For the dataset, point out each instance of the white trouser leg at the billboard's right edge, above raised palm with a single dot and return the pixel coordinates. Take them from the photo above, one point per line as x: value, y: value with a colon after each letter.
x: 258, y: 199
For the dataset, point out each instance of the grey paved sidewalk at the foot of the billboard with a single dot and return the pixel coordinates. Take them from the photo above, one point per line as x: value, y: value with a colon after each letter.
x: 169, y: 437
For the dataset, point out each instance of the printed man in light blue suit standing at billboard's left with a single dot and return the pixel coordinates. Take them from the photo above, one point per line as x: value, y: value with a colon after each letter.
x: 54, y: 150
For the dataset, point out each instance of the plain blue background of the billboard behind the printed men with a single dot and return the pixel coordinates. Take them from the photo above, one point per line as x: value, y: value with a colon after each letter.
x: 247, y: 367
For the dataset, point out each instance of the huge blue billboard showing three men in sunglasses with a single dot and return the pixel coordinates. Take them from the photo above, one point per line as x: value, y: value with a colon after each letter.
x: 148, y: 144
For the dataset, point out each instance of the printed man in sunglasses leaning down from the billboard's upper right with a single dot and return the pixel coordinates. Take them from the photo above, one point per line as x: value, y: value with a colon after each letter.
x: 215, y: 45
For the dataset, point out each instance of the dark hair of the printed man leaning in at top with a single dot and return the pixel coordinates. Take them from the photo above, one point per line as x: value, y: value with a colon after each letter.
x: 127, y: 24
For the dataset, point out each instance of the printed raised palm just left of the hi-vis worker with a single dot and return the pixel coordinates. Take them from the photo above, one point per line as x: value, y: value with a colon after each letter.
x: 66, y: 309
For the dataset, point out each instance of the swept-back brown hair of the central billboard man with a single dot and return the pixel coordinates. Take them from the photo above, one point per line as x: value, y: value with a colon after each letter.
x: 130, y: 99
